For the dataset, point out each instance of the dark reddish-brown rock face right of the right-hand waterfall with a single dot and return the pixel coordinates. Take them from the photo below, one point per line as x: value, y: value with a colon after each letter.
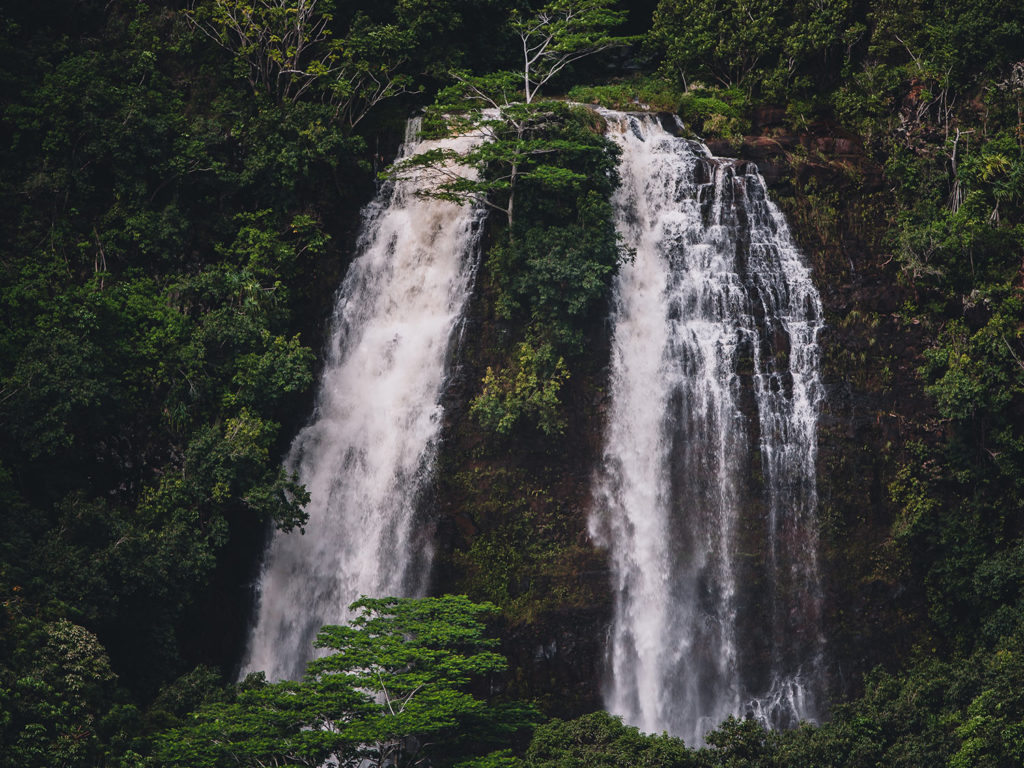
x: 836, y: 199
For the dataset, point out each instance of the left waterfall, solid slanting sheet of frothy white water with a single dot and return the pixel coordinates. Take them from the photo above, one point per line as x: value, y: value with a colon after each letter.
x: 370, y: 447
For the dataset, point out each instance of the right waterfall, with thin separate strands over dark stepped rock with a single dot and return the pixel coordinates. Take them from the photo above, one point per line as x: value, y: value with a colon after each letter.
x: 706, y: 497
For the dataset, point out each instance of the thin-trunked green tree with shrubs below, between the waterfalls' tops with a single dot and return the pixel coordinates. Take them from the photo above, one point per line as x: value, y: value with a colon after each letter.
x: 547, y: 161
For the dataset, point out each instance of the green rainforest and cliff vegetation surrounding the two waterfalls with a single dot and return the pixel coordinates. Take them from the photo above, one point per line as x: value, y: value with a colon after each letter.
x: 182, y: 186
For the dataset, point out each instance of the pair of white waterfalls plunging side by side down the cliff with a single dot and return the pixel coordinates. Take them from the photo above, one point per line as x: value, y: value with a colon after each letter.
x: 706, y: 496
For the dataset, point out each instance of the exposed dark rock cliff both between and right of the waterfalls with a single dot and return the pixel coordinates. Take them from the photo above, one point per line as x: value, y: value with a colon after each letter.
x: 513, y: 517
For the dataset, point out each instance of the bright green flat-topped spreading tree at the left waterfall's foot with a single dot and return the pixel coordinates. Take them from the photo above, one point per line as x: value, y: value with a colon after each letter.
x: 396, y: 691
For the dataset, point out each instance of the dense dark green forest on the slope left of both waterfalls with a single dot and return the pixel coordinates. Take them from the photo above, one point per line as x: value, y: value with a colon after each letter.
x: 173, y: 231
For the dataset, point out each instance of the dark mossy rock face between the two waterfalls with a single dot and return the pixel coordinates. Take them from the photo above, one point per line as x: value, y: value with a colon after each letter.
x: 511, y: 520
